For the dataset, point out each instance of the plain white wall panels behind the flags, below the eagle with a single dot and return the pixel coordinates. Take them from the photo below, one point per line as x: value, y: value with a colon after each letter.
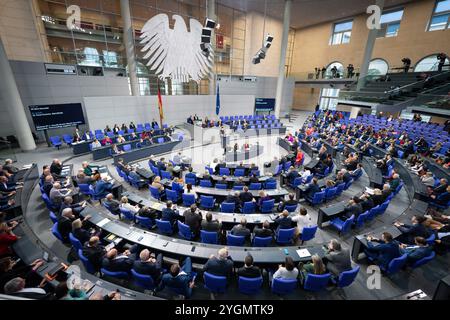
x: 101, y: 111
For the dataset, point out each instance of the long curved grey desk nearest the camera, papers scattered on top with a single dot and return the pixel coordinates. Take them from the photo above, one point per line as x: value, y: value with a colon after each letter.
x: 199, y: 252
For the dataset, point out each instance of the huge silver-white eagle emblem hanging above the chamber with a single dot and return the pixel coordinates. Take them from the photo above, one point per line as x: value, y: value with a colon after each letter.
x: 175, y: 53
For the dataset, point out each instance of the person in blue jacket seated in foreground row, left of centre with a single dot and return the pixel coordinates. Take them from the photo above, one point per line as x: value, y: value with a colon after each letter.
x: 180, y: 278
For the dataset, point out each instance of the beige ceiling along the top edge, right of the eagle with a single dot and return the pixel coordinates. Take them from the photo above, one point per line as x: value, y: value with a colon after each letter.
x: 306, y: 13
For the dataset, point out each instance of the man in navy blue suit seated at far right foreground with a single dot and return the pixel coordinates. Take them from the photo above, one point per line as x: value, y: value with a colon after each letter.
x: 383, y: 252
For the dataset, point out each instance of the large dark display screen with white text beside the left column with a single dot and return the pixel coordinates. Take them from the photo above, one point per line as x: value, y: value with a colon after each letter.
x: 54, y: 116
